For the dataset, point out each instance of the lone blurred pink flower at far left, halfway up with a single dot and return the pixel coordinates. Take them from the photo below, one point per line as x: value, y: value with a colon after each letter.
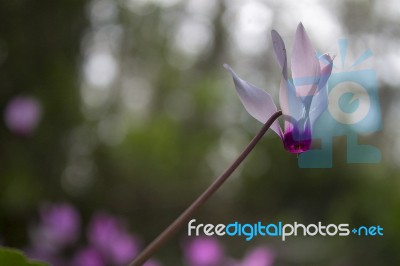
x: 22, y: 114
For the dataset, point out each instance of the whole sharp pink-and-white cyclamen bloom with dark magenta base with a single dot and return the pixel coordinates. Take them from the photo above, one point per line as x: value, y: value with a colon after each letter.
x: 302, y: 98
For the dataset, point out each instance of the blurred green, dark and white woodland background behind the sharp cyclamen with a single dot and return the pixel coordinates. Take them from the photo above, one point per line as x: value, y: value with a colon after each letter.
x: 117, y: 114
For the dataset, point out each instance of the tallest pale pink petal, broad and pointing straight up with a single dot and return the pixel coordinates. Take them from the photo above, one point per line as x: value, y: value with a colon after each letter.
x: 305, y: 64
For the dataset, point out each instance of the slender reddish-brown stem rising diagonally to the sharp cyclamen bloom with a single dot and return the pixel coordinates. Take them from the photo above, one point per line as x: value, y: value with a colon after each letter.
x: 179, y: 222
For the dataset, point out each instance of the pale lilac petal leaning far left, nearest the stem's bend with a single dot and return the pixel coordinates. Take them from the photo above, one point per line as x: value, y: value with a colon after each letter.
x: 257, y: 102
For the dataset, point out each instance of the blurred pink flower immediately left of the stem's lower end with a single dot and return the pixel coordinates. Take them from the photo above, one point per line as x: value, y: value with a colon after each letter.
x: 112, y: 240
